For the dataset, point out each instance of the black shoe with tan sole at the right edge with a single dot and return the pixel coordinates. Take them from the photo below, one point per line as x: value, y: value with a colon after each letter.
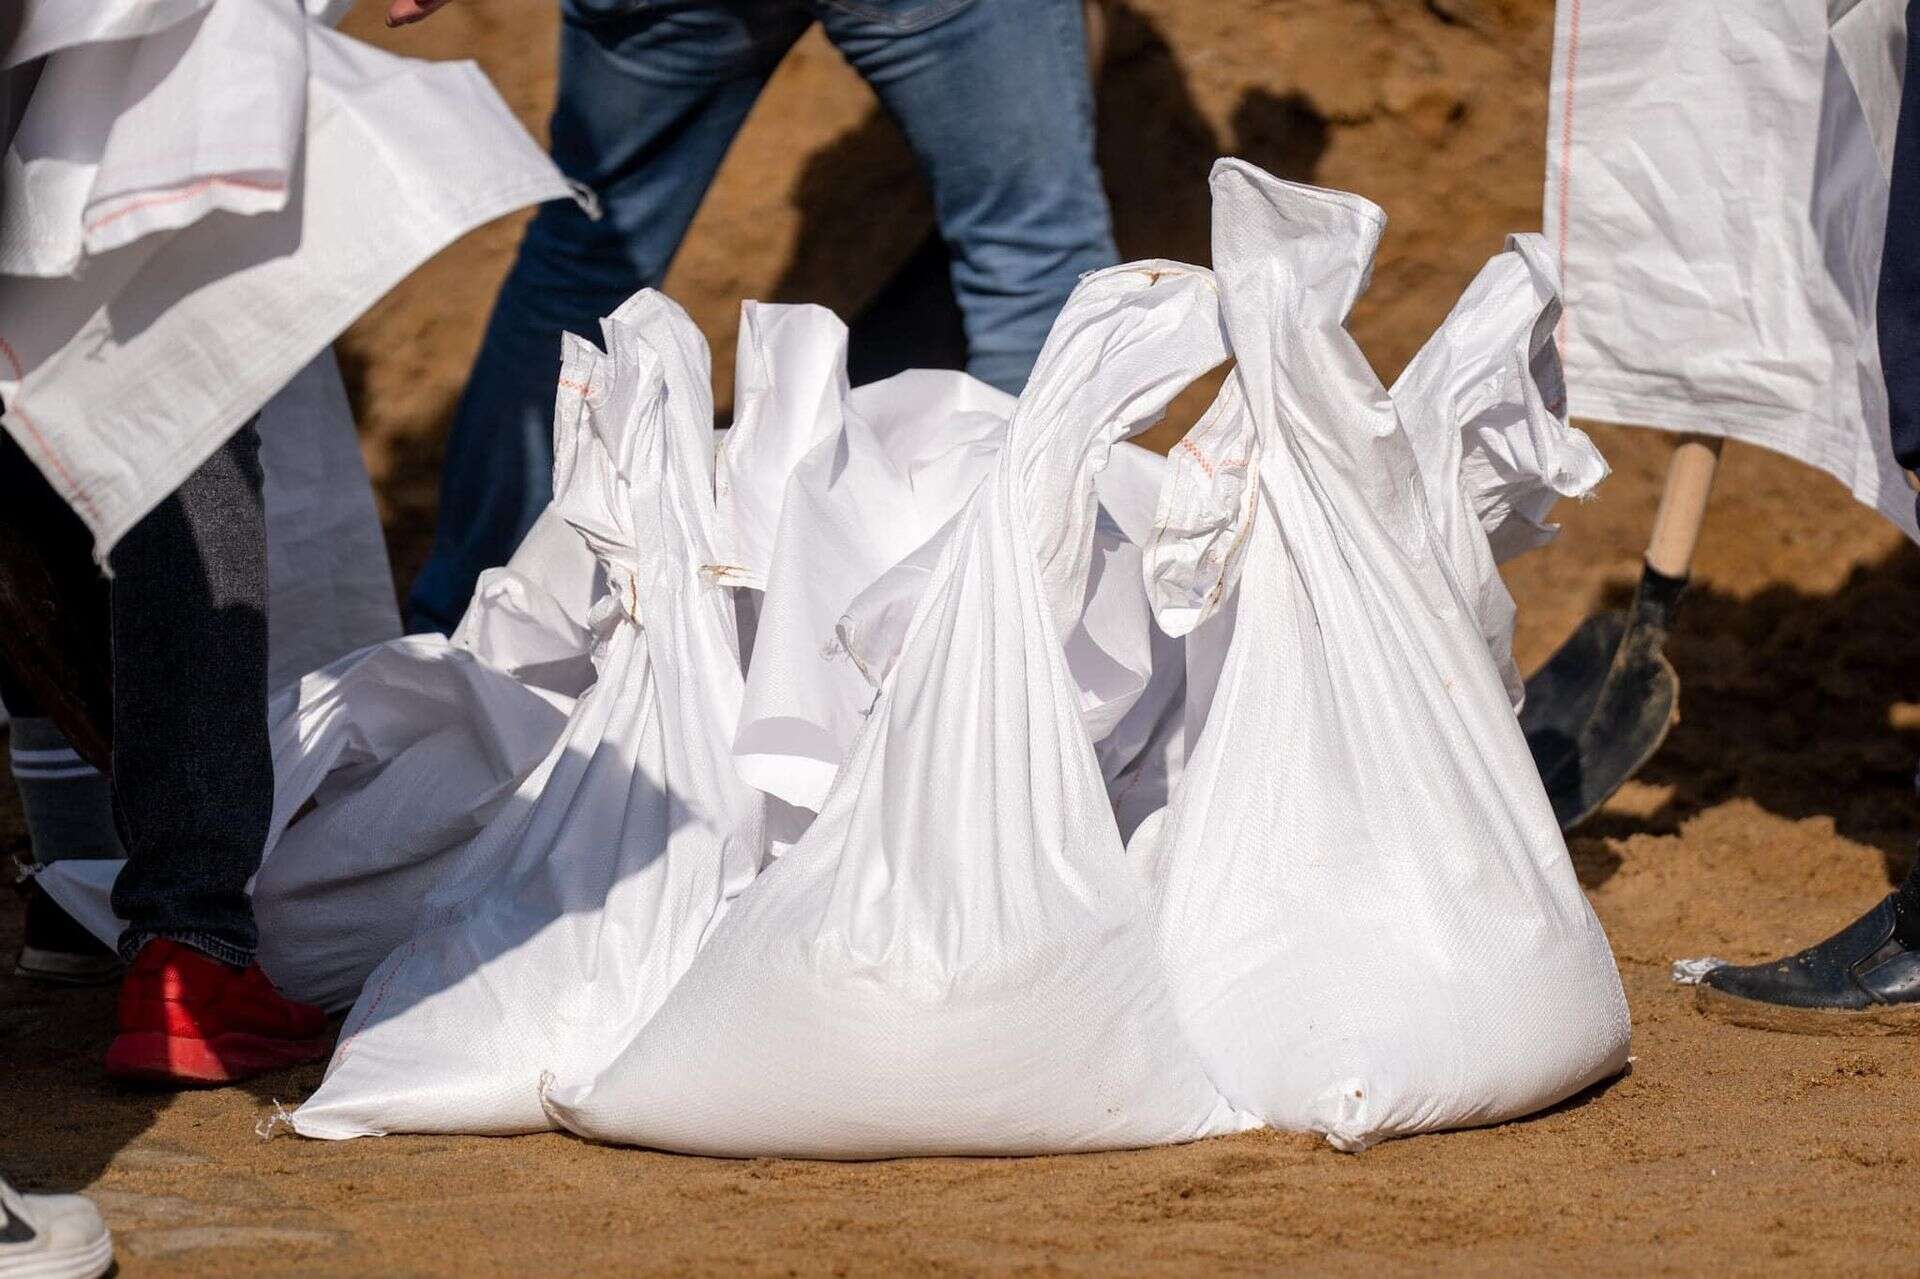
x: 1863, y: 980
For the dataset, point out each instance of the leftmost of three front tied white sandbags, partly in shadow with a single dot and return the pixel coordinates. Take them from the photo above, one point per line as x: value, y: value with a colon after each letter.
x: 619, y: 850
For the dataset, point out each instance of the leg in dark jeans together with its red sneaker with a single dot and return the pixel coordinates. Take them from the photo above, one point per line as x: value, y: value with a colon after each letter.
x: 193, y: 786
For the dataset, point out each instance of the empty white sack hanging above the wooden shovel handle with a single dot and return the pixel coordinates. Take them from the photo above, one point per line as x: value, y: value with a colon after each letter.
x: 1717, y: 193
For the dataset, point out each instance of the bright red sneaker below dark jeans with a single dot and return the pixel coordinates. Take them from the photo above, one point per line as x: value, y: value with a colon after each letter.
x: 189, y: 1019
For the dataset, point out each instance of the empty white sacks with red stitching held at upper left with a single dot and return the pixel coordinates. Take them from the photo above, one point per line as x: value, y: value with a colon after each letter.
x: 122, y: 379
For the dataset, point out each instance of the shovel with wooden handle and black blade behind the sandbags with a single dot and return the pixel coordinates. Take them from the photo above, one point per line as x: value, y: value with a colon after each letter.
x: 1602, y: 706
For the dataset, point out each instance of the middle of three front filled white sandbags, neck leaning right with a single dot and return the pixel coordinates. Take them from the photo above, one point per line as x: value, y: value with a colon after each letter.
x: 953, y: 959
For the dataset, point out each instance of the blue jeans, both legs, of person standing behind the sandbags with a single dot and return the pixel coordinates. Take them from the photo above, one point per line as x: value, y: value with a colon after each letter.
x: 994, y: 99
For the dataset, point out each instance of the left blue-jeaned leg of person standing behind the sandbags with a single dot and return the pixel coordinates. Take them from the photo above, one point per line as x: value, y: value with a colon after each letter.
x: 650, y: 103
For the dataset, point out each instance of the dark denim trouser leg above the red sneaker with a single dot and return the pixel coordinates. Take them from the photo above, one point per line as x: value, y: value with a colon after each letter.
x: 193, y: 765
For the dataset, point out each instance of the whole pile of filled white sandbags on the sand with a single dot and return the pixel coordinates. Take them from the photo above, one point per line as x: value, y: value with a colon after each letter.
x: 934, y: 773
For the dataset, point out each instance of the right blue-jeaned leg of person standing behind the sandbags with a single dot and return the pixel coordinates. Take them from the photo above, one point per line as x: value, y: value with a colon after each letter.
x: 996, y: 101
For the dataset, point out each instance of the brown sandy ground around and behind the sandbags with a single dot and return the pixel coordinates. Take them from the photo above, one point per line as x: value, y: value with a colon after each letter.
x: 1781, y: 806
